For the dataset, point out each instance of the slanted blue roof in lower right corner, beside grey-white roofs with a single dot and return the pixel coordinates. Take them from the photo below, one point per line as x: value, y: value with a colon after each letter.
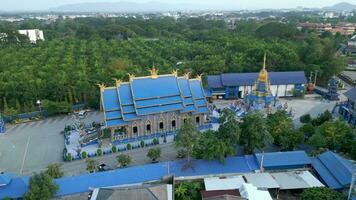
x: 335, y: 171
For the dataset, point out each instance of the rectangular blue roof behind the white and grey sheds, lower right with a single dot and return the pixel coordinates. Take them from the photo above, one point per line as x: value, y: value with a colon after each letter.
x: 283, y: 159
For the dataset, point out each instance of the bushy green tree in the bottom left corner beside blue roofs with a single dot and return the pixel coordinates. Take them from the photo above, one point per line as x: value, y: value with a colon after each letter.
x: 41, y: 186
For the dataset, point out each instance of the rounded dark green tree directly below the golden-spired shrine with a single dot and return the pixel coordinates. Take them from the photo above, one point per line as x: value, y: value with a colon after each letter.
x: 254, y: 132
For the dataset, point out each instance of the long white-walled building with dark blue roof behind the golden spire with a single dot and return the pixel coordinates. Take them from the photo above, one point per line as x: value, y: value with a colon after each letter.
x: 235, y: 85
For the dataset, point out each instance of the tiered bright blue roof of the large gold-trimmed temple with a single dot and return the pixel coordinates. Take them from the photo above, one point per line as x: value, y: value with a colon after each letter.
x: 145, y: 95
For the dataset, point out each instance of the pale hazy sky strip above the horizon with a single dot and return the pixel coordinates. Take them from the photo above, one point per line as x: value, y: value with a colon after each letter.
x: 31, y: 5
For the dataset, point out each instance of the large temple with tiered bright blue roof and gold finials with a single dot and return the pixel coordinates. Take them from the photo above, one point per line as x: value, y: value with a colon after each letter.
x: 153, y: 105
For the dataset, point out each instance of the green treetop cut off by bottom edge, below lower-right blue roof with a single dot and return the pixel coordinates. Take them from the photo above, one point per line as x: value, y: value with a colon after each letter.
x: 321, y: 193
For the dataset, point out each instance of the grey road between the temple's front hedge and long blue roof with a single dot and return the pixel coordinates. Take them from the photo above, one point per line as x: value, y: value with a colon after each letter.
x: 138, y: 157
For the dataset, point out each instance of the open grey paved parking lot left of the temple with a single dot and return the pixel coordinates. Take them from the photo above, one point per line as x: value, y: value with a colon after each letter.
x: 30, y: 147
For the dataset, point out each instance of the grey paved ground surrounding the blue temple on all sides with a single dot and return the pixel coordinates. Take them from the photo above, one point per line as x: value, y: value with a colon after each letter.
x: 30, y: 147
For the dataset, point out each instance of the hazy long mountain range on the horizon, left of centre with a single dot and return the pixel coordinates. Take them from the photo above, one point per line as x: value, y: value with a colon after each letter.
x: 133, y: 7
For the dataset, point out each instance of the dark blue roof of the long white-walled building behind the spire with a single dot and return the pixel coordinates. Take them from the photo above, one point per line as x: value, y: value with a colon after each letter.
x: 247, y: 79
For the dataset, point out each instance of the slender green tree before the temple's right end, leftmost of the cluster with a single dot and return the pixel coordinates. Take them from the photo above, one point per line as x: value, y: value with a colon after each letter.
x: 187, y: 138
